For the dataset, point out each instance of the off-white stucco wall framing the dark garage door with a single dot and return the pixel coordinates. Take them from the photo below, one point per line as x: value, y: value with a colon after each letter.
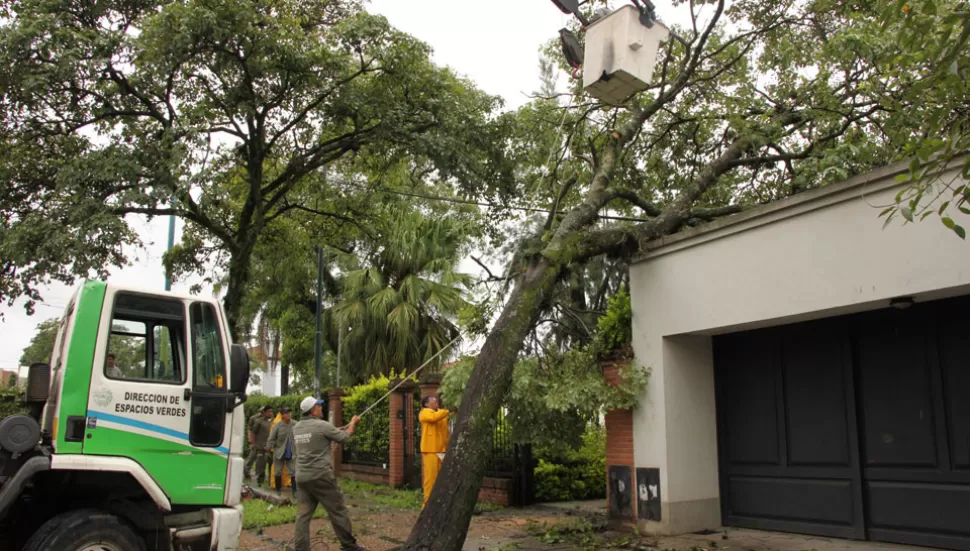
x: 818, y: 254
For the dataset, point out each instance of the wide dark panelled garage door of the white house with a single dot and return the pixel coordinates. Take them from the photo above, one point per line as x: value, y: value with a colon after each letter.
x: 856, y: 427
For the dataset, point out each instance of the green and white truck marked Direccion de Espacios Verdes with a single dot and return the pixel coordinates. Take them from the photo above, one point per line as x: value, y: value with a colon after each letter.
x: 134, y: 435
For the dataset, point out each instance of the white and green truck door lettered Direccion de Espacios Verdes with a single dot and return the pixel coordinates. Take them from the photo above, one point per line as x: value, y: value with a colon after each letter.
x: 143, y: 402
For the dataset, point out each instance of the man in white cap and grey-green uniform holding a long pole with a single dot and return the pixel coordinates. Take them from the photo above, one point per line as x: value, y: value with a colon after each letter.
x: 317, y: 481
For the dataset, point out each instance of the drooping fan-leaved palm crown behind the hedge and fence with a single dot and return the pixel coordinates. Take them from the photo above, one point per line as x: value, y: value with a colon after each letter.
x: 402, y: 298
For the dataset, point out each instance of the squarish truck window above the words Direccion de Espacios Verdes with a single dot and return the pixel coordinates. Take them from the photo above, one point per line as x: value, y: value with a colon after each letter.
x: 146, y: 341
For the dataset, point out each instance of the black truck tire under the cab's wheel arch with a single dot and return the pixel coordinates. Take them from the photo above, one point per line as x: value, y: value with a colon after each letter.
x: 85, y: 530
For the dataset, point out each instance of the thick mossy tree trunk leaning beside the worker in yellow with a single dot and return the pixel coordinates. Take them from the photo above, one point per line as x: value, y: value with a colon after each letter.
x: 443, y: 524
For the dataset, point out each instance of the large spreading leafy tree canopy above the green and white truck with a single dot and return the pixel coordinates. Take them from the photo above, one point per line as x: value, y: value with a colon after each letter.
x: 230, y: 114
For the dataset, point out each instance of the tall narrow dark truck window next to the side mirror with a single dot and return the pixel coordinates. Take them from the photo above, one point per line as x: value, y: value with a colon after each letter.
x: 209, y: 393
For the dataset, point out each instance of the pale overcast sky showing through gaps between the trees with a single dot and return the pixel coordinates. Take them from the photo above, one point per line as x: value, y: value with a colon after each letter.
x: 493, y: 42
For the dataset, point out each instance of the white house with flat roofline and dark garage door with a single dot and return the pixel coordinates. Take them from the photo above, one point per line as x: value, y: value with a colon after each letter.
x: 810, y: 373
